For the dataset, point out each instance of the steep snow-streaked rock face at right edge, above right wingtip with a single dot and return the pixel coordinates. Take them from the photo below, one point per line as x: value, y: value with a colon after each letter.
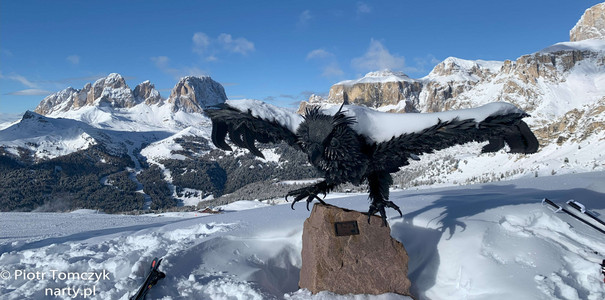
x: 547, y: 83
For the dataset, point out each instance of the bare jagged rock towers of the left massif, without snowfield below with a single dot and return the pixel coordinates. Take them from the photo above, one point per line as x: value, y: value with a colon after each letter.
x: 191, y: 94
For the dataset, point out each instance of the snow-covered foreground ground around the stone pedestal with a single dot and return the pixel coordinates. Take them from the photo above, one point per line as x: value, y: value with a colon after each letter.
x: 486, y: 241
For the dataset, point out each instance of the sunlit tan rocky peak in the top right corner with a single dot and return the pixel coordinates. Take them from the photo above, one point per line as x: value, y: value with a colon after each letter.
x: 591, y: 25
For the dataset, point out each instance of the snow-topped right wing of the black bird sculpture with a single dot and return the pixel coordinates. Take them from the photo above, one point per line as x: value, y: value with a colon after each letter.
x: 398, y: 137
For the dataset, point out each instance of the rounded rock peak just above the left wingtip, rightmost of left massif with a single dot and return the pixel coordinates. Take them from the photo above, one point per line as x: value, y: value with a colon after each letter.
x: 193, y: 94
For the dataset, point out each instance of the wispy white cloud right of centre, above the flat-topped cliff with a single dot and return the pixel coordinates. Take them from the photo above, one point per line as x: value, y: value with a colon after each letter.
x: 378, y: 57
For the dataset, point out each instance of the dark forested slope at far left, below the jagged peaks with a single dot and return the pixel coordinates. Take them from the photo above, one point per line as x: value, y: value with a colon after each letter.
x: 67, y: 182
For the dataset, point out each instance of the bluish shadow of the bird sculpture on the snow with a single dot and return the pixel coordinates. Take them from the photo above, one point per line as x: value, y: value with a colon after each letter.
x: 456, y: 205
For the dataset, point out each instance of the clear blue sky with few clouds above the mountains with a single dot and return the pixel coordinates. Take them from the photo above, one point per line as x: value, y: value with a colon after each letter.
x: 277, y: 51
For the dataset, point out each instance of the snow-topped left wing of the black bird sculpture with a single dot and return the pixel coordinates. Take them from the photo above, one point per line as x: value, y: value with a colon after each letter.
x: 247, y: 121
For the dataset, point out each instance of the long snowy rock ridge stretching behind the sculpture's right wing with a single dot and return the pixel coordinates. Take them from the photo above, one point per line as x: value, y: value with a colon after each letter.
x: 451, y: 83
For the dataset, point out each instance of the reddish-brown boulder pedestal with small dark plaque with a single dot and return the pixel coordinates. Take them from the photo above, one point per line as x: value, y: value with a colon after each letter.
x: 344, y: 254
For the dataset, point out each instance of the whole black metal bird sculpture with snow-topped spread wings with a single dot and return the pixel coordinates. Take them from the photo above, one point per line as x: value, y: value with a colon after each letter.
x: 356, y: 144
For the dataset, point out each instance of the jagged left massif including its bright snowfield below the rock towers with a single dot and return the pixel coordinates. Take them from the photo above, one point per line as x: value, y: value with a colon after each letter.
x: 110, y: 103
